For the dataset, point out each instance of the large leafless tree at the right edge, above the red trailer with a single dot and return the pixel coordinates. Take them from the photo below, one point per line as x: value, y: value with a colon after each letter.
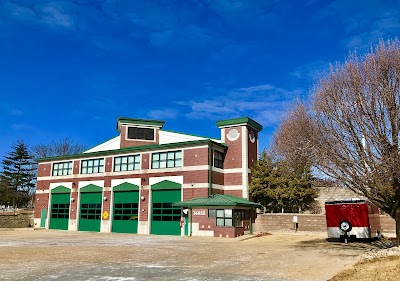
x: 356, y: 113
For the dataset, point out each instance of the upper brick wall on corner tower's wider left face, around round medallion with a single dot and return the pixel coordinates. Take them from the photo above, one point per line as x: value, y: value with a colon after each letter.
x: 233, y: 158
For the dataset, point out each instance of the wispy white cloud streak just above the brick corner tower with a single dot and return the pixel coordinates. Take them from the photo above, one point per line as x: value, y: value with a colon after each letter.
x: 266, y: 103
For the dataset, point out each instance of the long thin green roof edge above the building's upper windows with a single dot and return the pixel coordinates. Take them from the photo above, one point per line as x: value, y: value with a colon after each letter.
x: 150, y: 147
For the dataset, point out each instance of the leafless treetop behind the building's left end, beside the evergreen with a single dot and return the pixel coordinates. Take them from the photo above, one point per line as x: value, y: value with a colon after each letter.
x: 60, y: 147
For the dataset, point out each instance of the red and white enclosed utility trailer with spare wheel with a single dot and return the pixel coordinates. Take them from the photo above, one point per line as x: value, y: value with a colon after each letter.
x: 352, y: 219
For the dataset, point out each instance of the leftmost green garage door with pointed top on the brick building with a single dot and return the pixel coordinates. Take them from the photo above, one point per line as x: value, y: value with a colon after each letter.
x: 59, y: 209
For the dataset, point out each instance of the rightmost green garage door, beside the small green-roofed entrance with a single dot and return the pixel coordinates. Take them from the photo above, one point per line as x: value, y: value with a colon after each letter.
x: 165, y: 218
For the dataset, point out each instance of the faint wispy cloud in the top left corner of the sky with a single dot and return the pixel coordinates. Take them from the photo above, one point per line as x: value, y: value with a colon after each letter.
x: 53, y: 14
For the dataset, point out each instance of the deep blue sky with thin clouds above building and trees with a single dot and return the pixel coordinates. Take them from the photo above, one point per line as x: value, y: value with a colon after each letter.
x: 71, y: 68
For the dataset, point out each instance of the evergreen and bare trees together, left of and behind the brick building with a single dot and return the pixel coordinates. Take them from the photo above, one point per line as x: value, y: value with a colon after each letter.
x: 19, y: 169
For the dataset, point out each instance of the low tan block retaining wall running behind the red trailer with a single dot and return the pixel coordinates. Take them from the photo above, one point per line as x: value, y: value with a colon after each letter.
x: 306, y: 222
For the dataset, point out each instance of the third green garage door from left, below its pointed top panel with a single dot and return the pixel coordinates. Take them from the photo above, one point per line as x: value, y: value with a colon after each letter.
x: 125, y: 213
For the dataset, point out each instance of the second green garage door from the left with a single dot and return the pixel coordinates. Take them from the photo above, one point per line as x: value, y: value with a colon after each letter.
x: 90, y: 208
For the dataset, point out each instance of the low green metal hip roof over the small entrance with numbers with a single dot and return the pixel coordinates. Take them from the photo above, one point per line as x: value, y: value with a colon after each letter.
x: 218, y: 200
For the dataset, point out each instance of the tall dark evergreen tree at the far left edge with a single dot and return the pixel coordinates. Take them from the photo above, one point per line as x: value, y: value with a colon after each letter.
x: 19, y: 172
